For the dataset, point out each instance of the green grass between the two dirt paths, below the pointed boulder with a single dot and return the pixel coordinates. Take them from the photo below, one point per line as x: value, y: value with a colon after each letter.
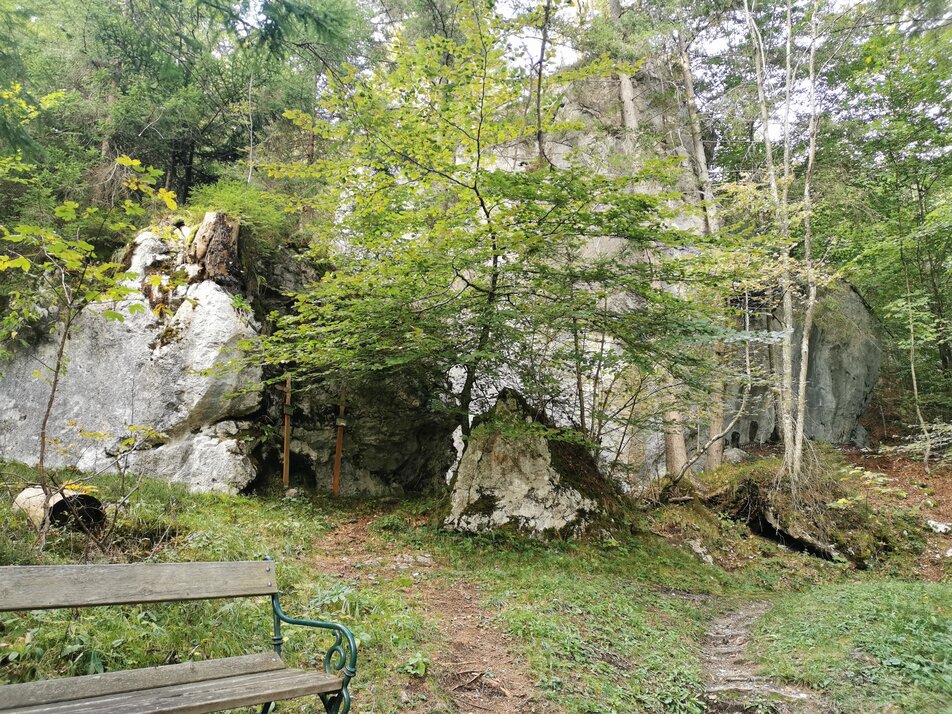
x: 594, y: 623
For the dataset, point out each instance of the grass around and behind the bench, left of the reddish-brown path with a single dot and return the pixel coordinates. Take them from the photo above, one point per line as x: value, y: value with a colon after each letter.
x: 165, y: 523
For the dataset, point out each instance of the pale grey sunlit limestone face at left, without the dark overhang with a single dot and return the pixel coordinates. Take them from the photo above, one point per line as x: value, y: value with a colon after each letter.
x: 147, y: 376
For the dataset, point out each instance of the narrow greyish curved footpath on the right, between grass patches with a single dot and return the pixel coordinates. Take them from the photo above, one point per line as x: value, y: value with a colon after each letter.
x: 733, y: 682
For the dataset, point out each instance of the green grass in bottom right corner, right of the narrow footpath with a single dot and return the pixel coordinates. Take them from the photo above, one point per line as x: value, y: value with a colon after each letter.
x: 866, y: 645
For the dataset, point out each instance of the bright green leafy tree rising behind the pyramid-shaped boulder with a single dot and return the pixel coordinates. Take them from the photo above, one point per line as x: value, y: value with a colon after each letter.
x: 441, y: 257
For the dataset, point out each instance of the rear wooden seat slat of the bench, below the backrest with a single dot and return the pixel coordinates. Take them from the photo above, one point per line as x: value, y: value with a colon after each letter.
x: 49, y: 691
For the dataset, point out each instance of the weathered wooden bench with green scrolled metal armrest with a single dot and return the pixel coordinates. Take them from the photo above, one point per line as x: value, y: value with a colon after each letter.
x: 187, y: 688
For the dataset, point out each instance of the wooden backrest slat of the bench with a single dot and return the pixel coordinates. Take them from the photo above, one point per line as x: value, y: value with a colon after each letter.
x: 37, y: 587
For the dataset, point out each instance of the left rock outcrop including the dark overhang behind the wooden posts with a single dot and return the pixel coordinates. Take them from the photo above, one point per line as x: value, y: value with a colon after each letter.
x: 160, y: 380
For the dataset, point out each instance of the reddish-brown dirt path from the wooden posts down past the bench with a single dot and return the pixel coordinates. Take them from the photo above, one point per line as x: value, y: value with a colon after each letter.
x: 472, y: 665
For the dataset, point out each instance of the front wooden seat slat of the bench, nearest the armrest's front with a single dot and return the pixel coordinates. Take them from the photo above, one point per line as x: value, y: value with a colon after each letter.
x: 201, y: 697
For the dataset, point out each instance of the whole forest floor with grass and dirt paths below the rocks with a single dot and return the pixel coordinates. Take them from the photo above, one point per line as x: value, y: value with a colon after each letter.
x: 634, y: 621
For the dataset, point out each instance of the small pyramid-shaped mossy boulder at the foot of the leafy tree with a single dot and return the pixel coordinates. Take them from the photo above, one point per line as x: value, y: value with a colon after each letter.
x: 516, y: 477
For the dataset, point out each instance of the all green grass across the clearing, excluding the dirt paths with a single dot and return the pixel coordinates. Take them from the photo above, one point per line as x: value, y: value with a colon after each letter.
x: 612, y: 624
